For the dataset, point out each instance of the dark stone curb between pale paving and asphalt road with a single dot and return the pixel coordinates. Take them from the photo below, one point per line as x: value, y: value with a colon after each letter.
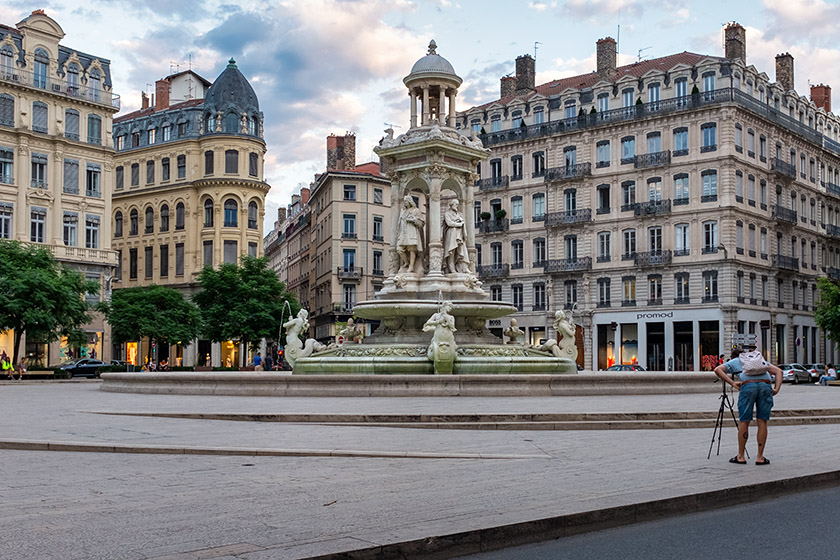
x: 539, y: 530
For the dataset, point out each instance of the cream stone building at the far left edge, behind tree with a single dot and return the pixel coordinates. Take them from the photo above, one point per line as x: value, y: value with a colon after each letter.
x: 56, y: 173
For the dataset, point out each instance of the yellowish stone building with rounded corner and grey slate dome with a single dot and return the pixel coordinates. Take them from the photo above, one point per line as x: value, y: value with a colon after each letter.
x: 189, y: 192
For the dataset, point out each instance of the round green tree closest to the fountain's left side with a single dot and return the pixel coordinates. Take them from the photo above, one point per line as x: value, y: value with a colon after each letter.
x: 243, y: 302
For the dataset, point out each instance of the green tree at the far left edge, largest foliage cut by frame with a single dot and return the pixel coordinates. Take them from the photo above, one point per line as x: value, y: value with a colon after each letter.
x: 40, y: 296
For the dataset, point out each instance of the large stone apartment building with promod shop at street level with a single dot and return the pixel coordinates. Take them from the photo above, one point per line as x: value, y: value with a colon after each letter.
x: 669, y: 203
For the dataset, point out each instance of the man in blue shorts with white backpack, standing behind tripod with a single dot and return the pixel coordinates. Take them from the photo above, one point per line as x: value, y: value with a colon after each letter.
x: 754, y: 390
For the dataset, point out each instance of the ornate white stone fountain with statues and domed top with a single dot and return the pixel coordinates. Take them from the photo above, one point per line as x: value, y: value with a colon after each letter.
x: 432, y: 310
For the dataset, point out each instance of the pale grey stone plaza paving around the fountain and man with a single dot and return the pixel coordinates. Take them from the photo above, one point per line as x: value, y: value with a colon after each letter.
x: 90, y: 505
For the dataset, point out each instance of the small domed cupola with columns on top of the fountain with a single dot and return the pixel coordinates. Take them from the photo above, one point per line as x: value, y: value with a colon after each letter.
x: 432, y: 82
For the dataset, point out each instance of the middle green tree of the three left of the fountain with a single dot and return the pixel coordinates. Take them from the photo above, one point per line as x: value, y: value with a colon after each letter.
x: 158, y: 313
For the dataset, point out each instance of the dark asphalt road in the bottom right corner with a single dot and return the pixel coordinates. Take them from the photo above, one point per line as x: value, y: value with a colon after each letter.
x: 801, y: 526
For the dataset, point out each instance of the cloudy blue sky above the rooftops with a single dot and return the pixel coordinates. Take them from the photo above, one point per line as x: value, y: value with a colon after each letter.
x: 332, y: 66
